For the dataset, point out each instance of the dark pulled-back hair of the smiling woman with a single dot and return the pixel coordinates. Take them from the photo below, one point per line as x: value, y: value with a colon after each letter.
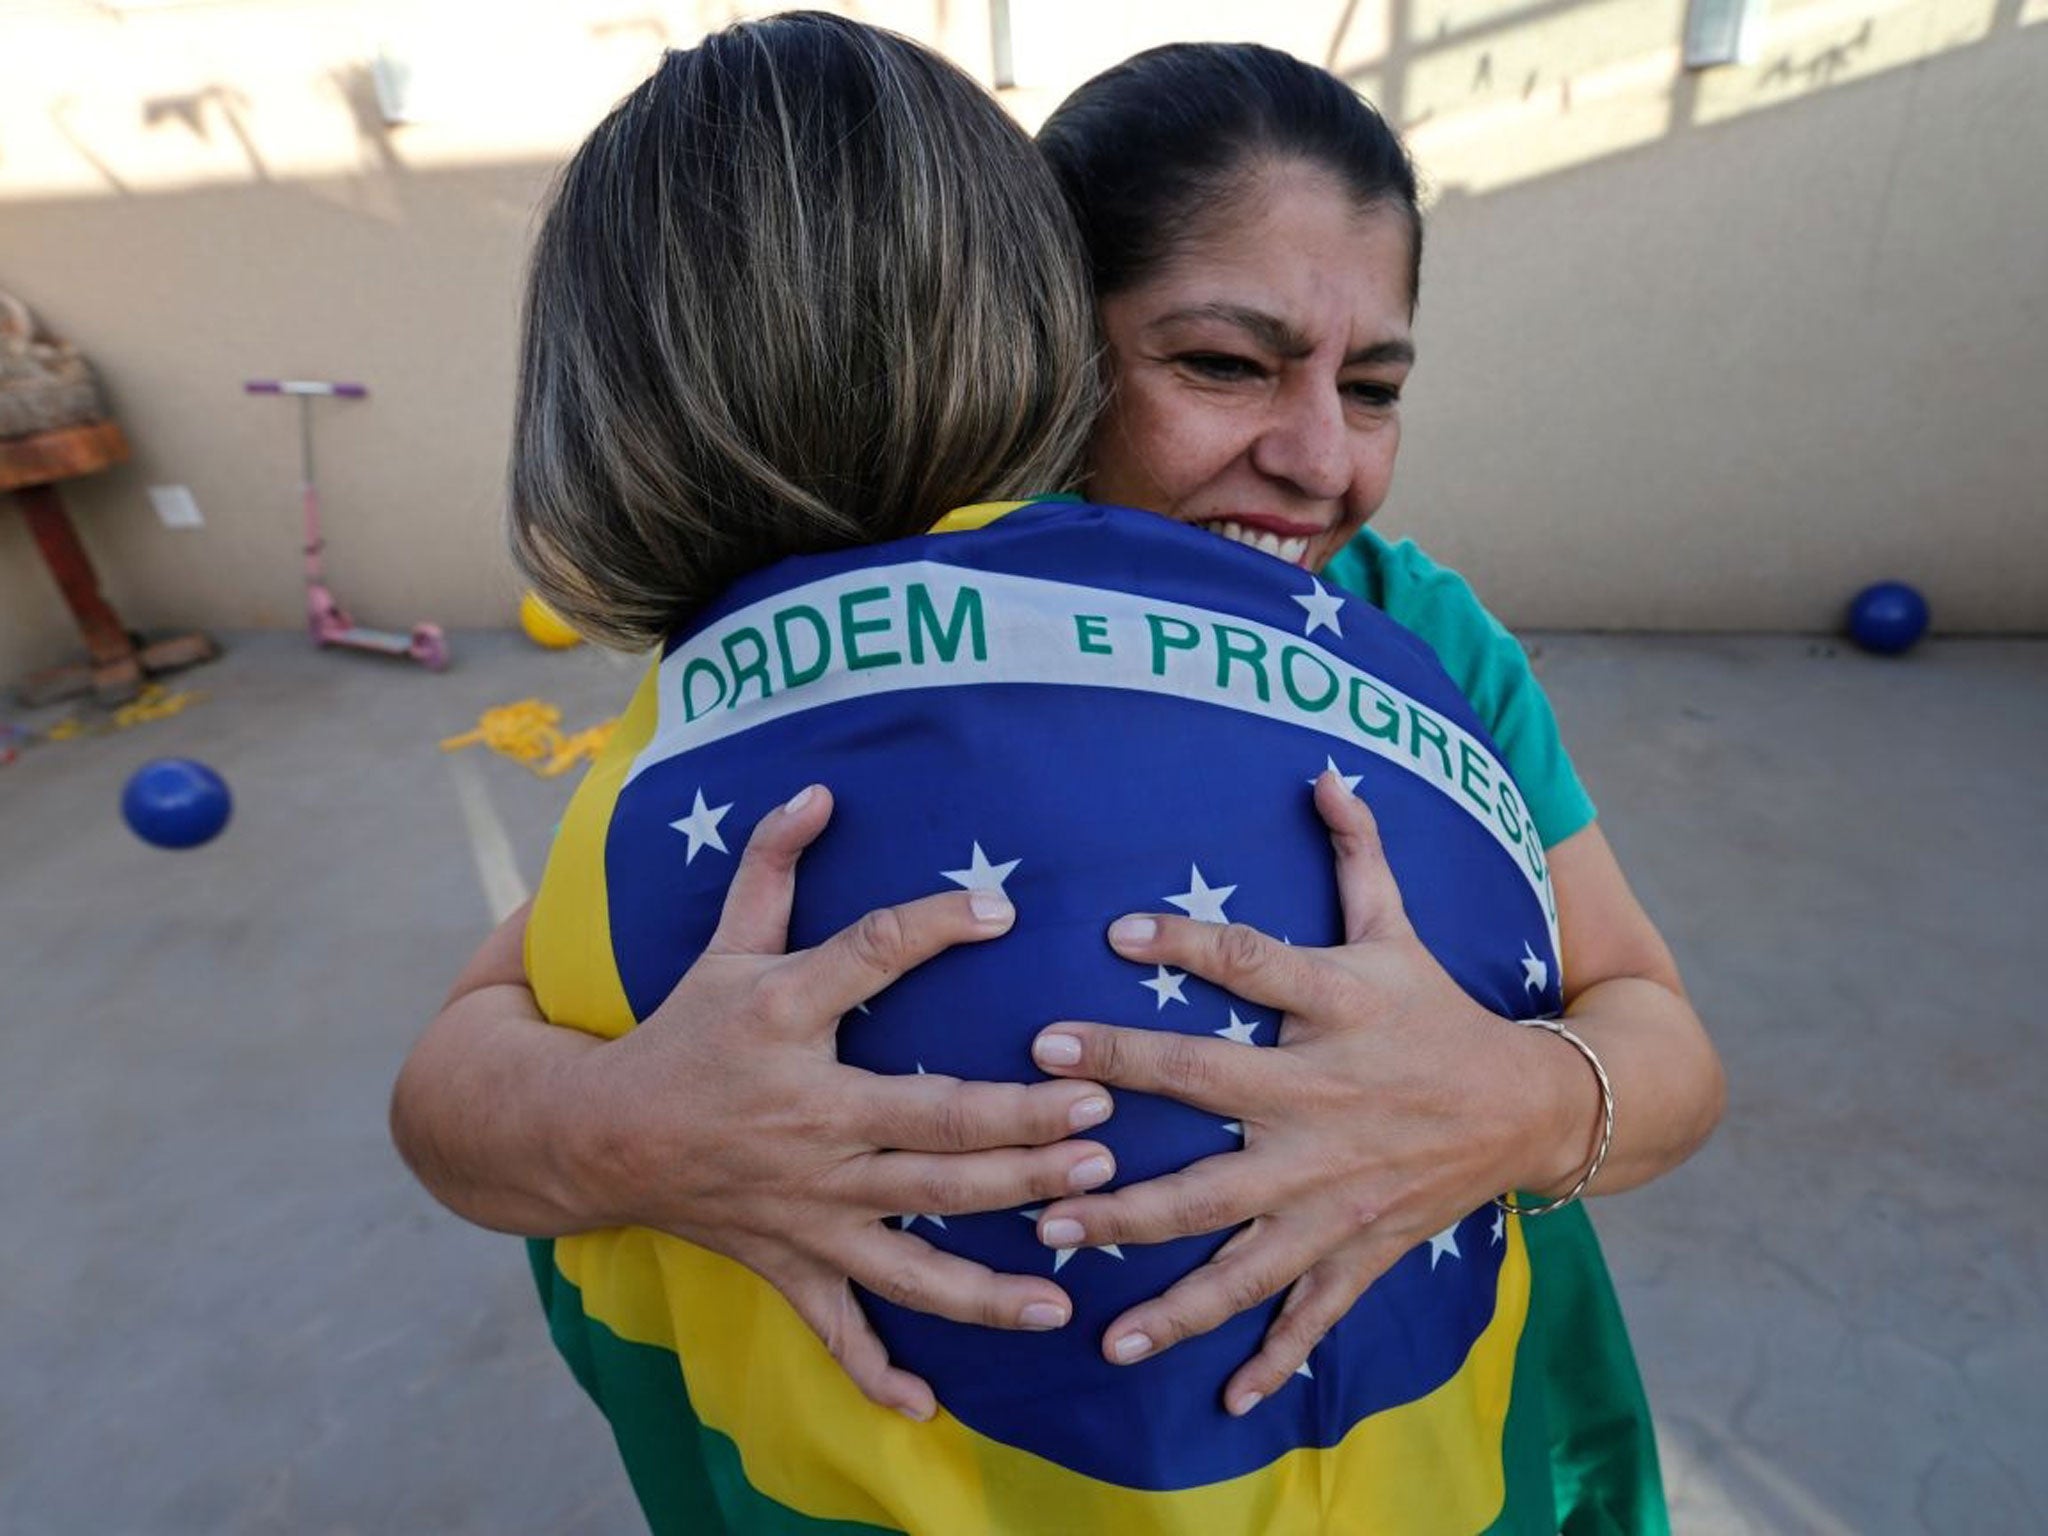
x: 1158, y: 148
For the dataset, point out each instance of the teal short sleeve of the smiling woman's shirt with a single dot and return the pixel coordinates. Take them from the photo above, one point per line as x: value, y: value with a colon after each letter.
x: 1484, y: 660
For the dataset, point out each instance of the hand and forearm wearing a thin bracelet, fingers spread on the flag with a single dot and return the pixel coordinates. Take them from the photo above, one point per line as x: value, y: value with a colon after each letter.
x: 1392, y: 1107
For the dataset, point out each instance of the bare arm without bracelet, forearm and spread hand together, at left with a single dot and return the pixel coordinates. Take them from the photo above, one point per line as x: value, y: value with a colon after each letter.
x: 728, y: 1119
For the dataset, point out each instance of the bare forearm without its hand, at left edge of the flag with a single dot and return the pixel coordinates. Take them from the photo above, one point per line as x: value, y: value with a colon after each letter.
x: 484, y: 1113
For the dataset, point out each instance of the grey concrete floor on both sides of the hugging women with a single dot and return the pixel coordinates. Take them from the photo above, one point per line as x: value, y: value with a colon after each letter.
x: 224, y: 1308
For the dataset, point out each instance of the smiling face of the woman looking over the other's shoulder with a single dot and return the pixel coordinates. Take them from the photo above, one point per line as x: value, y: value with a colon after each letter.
x: 1258, y: 374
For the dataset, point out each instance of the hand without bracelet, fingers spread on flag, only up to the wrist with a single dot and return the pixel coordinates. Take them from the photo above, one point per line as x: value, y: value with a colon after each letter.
x: 740, y: 1129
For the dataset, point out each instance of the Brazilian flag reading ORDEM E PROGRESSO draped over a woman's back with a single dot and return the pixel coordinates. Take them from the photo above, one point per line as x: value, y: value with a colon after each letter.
x: 1095, y: 712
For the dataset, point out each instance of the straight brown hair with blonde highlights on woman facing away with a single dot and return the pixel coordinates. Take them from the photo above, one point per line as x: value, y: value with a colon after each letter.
x: 806, y: 288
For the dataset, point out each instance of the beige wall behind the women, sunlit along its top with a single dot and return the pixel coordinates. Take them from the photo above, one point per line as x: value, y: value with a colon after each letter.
x: 1701, y: 351
